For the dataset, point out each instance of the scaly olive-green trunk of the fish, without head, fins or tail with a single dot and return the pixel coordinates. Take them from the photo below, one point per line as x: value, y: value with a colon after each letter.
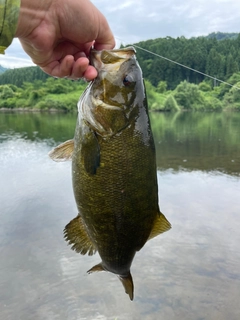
x: 119, y: 202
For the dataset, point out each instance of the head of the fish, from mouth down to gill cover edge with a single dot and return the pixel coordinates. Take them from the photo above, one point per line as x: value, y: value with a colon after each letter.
x: 114, y: 97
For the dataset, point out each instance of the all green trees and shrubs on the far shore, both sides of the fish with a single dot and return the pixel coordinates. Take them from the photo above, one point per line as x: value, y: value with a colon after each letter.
x: 169, y: 86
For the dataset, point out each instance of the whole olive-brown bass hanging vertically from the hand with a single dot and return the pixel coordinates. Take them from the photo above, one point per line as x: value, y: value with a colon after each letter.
x: 113, y: 167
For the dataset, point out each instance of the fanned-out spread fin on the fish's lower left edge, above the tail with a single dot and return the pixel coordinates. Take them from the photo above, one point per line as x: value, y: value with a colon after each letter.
x: 76, y: 235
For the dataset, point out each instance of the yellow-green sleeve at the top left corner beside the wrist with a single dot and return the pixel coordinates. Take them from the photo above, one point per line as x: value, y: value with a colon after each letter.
x: 9, y: 13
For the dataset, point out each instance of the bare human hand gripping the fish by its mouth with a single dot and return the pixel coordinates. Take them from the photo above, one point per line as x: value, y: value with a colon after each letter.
x: 58, y: 35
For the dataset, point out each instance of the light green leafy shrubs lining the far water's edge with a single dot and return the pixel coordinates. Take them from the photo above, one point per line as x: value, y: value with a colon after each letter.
x: 63, y: 95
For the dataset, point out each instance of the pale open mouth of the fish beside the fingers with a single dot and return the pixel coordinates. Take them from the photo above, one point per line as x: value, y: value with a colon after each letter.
x: 98, y: 58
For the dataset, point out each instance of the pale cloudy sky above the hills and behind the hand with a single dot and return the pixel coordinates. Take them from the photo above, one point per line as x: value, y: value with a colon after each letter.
x: 135, y: 20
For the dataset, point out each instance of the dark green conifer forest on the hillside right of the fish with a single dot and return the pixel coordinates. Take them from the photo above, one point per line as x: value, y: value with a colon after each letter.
x: 218, y: 59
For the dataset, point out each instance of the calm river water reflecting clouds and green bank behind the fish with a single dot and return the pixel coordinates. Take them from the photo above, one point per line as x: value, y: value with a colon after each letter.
x: 191, y: 272
